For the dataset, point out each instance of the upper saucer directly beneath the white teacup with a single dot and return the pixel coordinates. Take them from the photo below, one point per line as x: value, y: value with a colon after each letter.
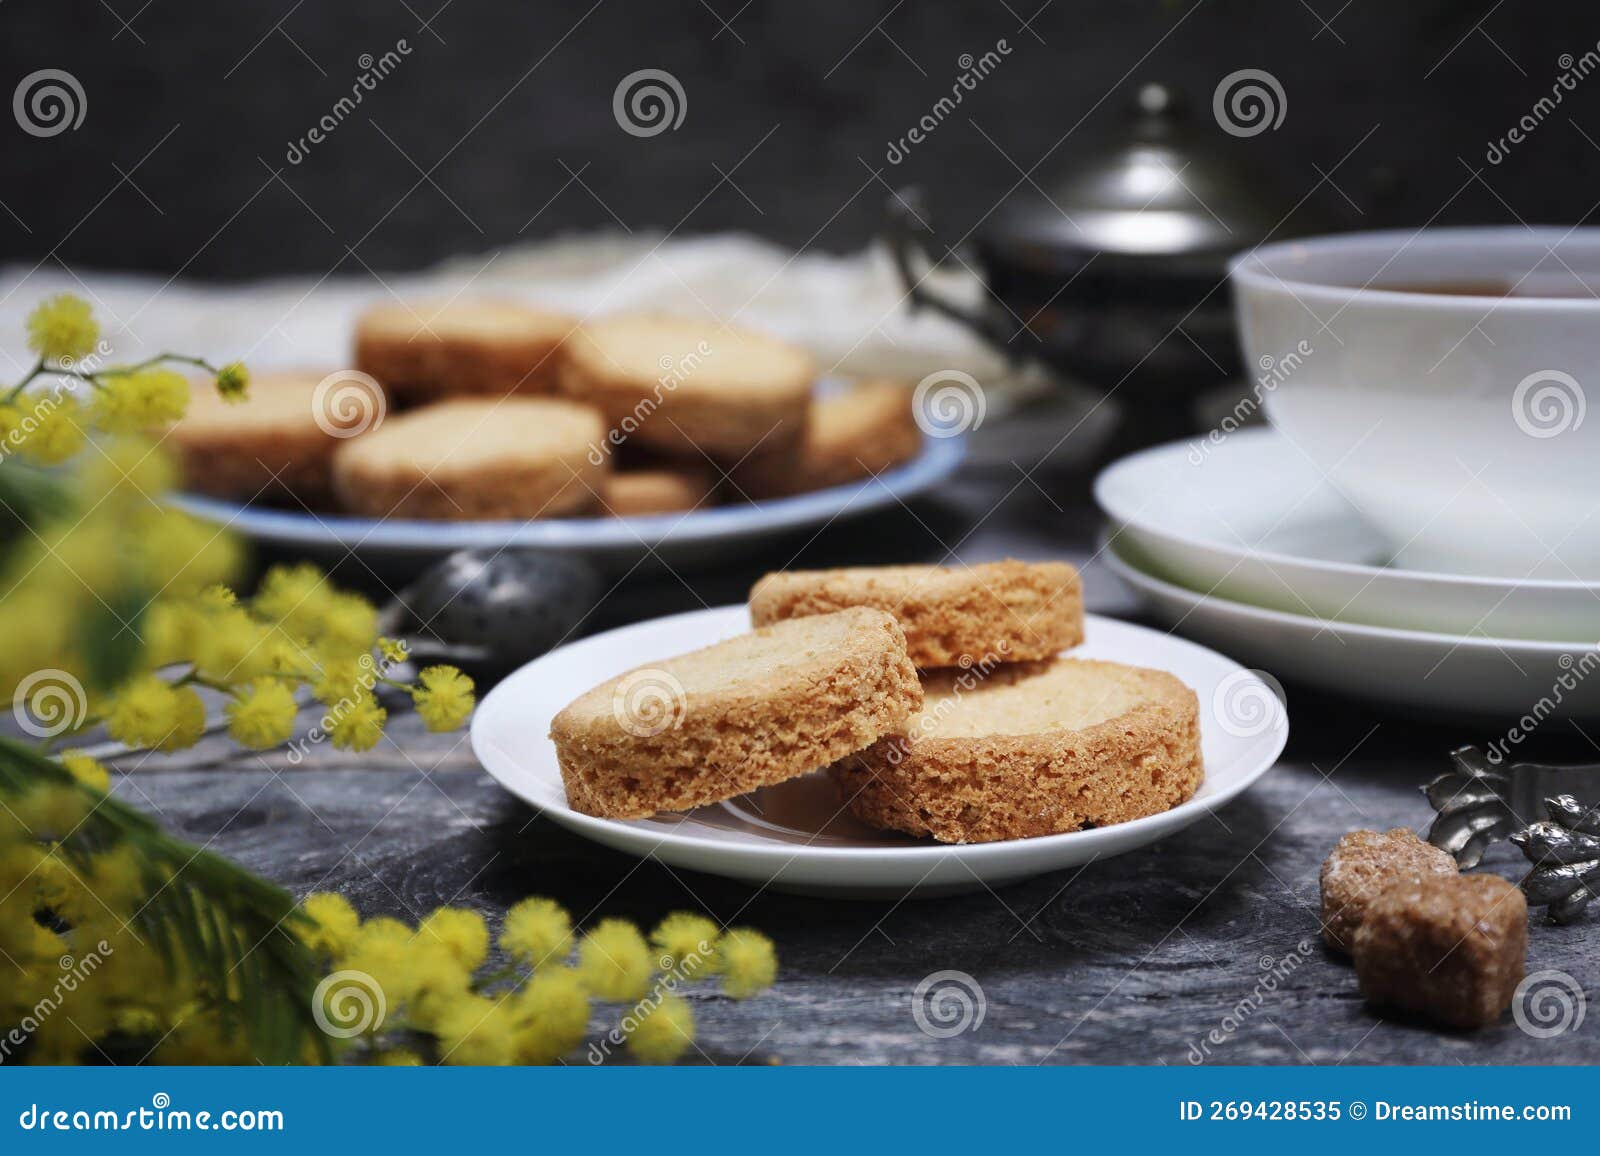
x: 1254, y: 521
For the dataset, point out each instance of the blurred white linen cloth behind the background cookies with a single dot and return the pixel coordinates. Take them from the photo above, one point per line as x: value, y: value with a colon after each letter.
x: 849, y: 311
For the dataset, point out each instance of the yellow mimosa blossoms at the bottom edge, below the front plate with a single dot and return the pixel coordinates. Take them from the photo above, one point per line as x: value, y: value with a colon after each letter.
x: 430, y: 995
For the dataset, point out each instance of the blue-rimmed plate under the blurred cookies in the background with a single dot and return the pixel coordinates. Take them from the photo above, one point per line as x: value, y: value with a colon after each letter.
x: 689, y: 539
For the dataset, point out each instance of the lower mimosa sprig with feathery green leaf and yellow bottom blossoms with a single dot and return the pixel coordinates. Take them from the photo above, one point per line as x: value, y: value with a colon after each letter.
x: 134, y: 947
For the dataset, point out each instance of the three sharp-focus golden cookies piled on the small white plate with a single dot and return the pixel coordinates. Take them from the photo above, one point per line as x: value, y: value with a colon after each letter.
x: 935, y: 697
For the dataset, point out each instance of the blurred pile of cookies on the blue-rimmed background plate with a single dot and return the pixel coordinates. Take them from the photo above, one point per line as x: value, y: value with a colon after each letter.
x: 503, y: 411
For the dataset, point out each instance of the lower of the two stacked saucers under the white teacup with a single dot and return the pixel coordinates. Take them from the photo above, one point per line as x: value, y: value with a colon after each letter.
x: 1505, y: 680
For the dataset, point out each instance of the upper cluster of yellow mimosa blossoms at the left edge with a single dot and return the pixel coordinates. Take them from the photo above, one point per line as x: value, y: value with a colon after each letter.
x: 124, y: 601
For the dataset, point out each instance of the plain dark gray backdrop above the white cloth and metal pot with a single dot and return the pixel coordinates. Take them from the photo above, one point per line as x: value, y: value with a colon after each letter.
x: 498, y: 126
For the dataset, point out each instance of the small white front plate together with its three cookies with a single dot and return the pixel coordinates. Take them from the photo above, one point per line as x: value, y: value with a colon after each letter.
x: 882, y: 733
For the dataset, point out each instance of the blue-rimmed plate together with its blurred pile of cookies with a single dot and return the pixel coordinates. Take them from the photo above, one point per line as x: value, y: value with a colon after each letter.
x: 494, y: 423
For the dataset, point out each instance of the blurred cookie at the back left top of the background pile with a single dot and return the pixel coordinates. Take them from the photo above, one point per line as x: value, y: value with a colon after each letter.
x: 426, y: 351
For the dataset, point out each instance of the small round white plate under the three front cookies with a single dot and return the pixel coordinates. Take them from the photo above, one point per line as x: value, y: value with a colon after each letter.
x: 794, y: 837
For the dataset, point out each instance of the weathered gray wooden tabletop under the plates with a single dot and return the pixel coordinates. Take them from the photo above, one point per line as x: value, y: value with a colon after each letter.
x: 1159, y: 957
